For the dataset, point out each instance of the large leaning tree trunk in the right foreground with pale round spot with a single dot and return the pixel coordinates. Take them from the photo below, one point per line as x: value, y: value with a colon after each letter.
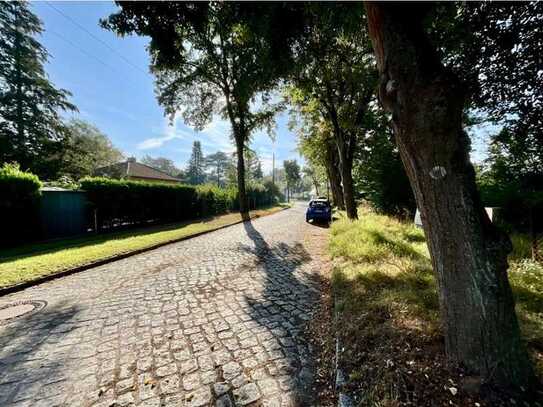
x: 469, y: 254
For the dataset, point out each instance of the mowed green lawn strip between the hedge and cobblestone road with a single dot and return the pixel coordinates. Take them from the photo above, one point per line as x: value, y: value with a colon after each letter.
x: 30, y: 262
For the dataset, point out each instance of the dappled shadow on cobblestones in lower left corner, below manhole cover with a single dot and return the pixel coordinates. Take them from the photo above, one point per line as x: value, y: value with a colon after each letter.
x: 32, y: 365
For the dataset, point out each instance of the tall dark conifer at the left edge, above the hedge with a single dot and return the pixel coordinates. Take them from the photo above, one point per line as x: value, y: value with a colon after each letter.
x: 31, y: 130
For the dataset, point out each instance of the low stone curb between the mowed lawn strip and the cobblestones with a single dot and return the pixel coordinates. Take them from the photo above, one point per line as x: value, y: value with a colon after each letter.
x: 22, y: 286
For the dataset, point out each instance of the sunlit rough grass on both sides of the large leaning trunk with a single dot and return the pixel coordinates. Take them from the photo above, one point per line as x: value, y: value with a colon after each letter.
x: 384, y: 285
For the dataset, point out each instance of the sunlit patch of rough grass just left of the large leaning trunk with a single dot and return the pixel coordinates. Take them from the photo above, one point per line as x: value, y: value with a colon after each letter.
x: 385, y: 268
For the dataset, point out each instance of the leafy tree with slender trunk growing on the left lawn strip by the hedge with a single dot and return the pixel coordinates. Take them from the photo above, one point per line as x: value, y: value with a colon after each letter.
x: 208, y: 59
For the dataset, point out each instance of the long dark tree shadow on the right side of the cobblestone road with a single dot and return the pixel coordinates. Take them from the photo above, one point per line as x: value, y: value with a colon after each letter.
x: 284, y: 307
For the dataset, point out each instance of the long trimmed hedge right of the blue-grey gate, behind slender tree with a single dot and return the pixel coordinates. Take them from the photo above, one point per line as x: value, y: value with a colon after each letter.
x: 122, y: 202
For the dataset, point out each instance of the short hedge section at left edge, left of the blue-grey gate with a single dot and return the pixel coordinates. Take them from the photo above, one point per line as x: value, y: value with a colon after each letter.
x: 19, y: 205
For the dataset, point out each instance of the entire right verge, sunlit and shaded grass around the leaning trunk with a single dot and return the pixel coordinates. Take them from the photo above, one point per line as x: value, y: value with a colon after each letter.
x: 385, y: 293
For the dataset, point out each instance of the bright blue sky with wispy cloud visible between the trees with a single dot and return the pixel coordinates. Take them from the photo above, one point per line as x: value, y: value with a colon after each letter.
x: 112, y: 88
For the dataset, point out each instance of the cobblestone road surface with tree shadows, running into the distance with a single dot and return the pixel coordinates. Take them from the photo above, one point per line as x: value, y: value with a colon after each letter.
x: 211, y: 321
